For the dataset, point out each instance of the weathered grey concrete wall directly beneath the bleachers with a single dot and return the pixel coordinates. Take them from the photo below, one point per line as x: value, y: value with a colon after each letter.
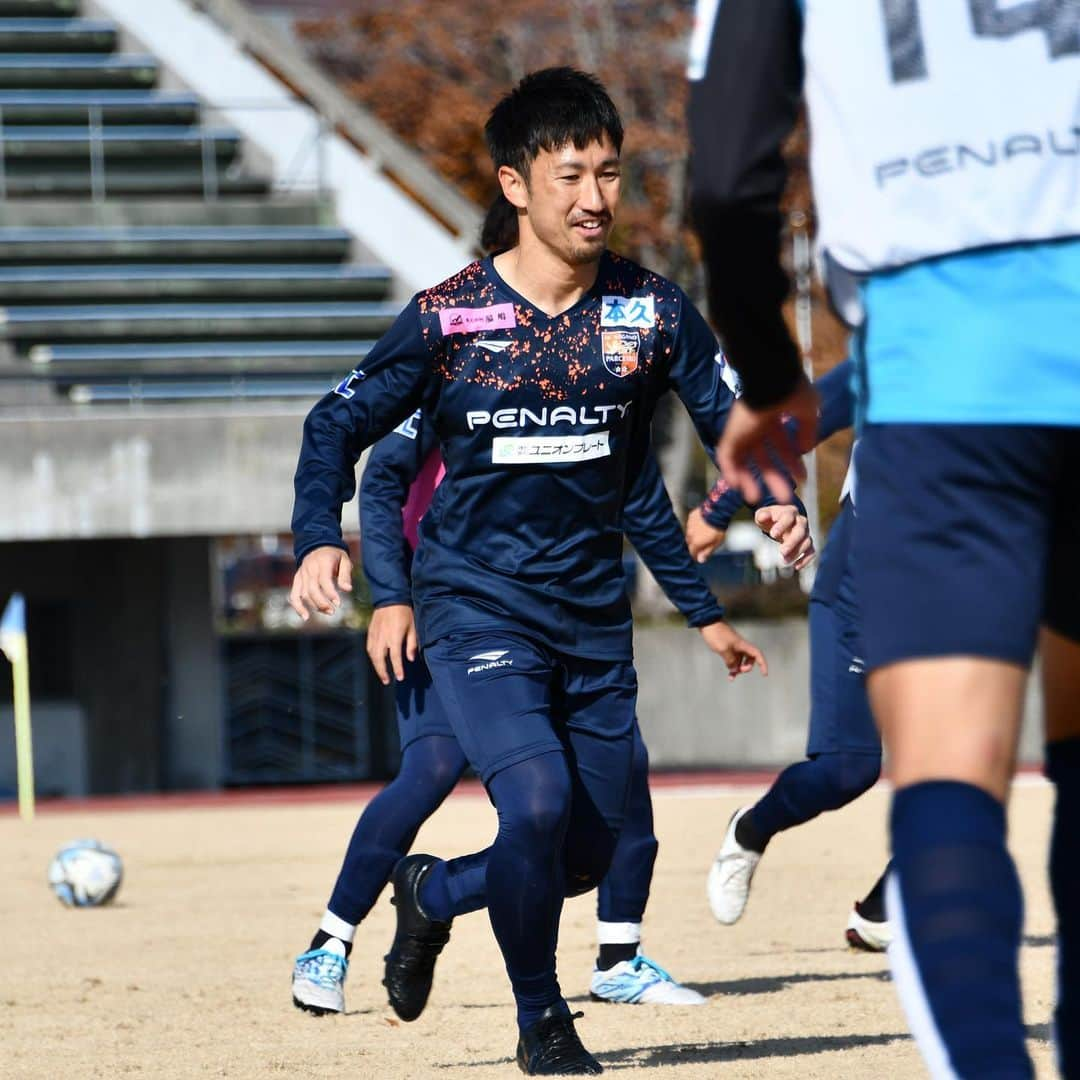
x: 78, y: 474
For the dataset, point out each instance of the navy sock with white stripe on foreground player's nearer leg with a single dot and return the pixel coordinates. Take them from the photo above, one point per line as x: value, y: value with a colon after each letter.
x: 955, y: 901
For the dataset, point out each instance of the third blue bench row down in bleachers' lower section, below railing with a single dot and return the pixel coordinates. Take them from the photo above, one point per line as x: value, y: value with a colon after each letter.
x: 34, y: 325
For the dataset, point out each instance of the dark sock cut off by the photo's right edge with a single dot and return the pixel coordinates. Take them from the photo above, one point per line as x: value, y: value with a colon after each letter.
x: 1063, y: 768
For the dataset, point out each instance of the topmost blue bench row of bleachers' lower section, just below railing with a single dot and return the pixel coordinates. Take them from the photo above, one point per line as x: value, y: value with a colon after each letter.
x: 185, y: 245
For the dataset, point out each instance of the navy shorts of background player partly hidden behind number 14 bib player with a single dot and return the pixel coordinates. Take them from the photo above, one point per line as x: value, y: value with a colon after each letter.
x: 841, y: 718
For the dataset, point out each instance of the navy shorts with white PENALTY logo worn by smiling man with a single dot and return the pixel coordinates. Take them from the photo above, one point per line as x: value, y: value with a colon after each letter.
x: 511, y: 698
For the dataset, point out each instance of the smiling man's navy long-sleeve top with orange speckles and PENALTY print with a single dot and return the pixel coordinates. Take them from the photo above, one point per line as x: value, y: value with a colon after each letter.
x: 544, y: 424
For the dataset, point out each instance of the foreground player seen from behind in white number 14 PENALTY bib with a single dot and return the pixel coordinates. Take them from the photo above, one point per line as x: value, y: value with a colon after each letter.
x: 946, y: 163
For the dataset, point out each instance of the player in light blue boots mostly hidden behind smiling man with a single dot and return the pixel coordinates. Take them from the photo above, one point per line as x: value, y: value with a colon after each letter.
x: 399, y: 482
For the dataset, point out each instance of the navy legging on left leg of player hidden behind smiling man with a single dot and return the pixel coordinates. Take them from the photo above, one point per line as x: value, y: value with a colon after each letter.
x: 430, y: 768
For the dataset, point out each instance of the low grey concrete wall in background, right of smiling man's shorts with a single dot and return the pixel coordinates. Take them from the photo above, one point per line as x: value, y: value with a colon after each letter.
x: 692, y: 717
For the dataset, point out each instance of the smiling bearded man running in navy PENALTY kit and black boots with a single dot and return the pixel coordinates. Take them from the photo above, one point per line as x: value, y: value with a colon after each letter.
x: 539, y: 370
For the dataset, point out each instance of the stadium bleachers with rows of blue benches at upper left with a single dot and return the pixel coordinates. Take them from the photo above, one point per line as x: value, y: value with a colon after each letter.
x: 238, y: 300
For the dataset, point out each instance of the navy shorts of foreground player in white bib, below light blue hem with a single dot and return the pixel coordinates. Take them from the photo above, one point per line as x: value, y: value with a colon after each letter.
x: 968, y: 539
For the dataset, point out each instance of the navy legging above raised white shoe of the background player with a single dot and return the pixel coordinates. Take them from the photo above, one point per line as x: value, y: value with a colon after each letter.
x: 807, y: 789
